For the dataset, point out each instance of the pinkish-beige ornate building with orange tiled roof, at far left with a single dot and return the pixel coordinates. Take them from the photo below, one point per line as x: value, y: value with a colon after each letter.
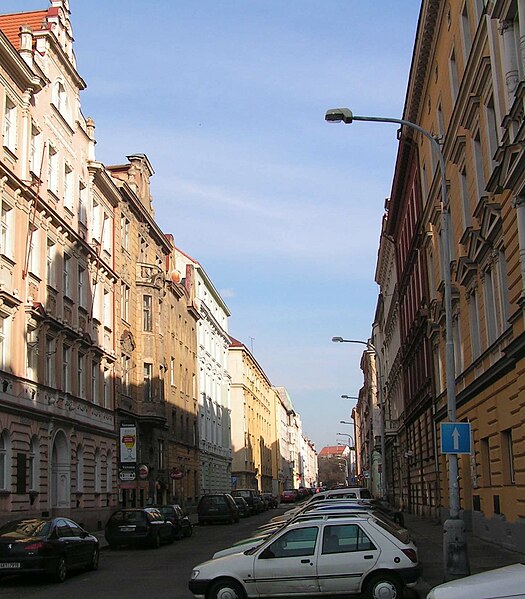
x: 57, y: 429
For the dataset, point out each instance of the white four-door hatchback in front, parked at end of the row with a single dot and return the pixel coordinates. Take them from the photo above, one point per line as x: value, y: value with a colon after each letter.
x: 326, y: 556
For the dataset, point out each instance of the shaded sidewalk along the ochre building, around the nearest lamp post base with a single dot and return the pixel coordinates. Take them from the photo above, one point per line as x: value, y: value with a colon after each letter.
x: 428, y: 536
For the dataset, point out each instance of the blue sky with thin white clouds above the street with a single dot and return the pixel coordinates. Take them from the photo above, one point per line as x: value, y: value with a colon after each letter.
x: 227, y: 98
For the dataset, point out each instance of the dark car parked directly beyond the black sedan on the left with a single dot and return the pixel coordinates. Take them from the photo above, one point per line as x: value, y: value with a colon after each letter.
x: 138, y: 526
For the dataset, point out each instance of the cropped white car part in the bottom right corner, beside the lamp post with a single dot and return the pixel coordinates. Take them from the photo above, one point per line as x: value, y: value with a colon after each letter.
x: 501, y: 583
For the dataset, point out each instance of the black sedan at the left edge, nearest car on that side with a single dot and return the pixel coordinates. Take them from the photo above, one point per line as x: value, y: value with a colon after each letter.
x: 51, y: 546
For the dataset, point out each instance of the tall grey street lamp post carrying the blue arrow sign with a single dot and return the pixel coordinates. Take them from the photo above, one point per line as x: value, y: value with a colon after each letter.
x: 454, y: 538
